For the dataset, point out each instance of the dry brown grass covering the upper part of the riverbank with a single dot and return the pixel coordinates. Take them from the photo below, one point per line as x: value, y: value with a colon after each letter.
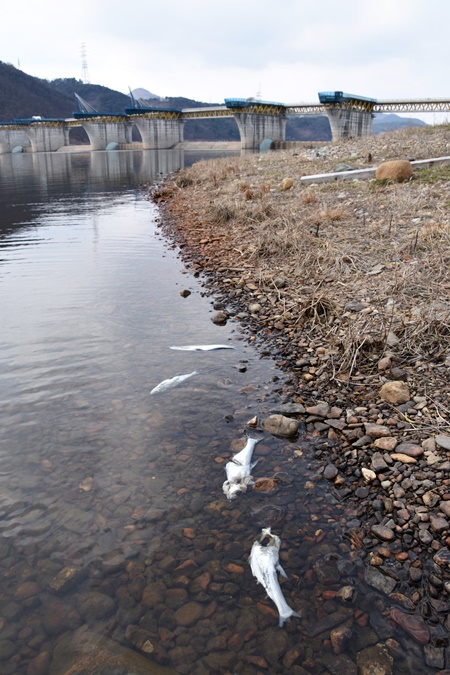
x: 387, y: 246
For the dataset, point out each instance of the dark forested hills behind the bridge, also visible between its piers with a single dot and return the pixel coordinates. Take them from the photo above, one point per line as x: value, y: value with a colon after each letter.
x: 22, y: 95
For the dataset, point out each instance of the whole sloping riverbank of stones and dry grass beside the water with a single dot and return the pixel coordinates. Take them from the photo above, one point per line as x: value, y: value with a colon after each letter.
x: 366, y: 369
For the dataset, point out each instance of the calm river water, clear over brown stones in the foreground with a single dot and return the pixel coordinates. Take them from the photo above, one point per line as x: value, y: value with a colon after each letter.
x: 116, y: 540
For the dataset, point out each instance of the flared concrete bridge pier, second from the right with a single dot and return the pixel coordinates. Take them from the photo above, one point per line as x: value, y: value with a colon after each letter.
x: 254, y: 127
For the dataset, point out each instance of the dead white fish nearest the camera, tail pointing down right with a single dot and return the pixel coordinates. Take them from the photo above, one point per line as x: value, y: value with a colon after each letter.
x: 265, y: 563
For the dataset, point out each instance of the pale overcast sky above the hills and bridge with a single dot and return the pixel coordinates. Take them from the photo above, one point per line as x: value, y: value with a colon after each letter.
x: 208, y: 50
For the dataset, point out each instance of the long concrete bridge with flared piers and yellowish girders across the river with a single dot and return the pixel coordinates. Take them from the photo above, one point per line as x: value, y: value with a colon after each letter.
x: 350, y: 115
